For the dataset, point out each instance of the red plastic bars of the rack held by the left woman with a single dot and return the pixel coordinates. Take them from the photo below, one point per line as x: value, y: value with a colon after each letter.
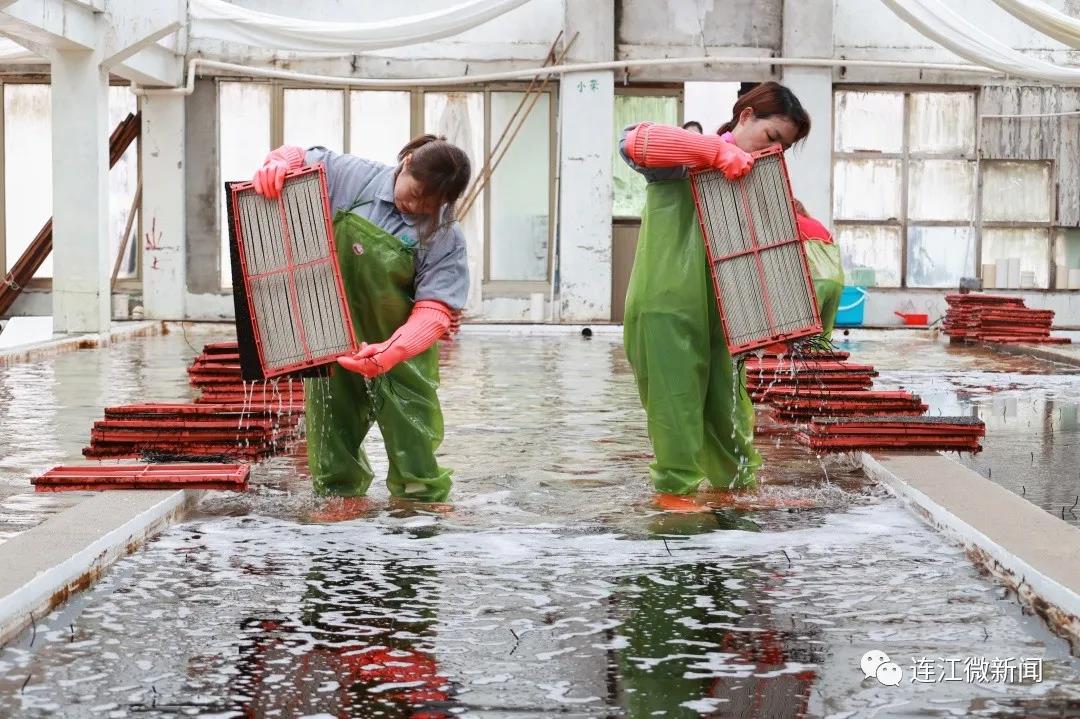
x: 290, y: 270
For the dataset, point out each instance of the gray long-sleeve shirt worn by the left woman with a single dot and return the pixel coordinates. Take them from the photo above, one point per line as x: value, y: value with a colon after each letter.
x: 442, y: 265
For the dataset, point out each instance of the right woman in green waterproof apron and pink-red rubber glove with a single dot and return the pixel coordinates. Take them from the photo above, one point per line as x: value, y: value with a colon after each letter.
x: 700, y: 417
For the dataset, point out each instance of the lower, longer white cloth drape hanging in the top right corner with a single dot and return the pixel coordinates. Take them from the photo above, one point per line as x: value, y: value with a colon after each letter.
x: 940, y: 24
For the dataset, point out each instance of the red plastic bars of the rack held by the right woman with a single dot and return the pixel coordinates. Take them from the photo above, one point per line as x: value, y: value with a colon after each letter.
x: 757, y: 251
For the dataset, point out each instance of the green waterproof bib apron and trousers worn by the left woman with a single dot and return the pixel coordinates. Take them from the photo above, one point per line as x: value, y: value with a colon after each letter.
x: 379, y: 275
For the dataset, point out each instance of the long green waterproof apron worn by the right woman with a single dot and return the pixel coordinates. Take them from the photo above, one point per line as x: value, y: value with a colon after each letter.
x: 700, y: 417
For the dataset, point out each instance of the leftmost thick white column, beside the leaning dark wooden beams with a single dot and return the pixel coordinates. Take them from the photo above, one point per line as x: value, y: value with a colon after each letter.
x: 82, y: 263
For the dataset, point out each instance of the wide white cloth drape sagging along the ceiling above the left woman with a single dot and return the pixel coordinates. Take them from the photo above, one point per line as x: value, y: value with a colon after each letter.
x: 217, y: 20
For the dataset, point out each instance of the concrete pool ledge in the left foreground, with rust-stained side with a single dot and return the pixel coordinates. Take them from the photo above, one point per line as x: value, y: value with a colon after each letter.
x: 44, y: 566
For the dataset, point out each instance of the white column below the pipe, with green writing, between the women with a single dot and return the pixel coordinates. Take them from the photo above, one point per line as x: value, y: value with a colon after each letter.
x: 586, y: 116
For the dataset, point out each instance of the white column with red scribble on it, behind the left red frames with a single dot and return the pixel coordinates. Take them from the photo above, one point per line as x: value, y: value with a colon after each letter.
x: 165, y: 264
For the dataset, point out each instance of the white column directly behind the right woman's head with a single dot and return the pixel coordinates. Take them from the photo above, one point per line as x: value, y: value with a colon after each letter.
x: 808, y: 33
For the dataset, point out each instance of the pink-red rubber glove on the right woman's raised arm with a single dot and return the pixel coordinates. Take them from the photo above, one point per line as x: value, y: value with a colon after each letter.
x: 663, y: 146
